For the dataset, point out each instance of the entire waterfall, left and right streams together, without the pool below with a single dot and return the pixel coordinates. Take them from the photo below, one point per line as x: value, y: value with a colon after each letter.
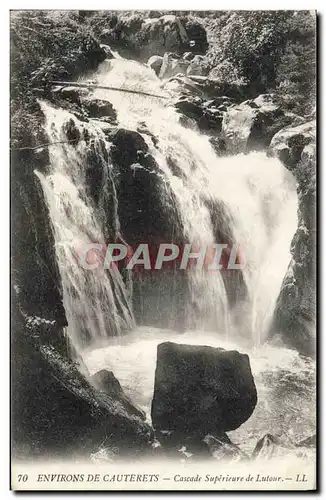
x: 248, y: 200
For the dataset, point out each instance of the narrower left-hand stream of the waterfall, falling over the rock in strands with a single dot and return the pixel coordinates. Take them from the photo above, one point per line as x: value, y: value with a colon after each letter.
x: 96, y: 302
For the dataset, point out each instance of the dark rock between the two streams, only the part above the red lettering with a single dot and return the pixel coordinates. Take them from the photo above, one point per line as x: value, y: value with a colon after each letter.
x: 143, y: 215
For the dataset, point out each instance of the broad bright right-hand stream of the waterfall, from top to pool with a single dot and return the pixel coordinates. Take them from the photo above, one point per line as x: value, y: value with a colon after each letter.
x: 257, y: 195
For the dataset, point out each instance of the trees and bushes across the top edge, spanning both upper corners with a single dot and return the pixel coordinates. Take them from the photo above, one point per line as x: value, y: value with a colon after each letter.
x: 265, y: 50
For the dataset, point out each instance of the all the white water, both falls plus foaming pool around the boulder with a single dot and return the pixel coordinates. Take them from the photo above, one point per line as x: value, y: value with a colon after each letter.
x: 249, y: 200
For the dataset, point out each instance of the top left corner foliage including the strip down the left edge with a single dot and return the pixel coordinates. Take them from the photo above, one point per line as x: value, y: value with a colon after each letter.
x: 45, y: 45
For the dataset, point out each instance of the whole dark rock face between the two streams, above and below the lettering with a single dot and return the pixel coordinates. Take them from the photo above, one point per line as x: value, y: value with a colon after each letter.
x: 146, y: 206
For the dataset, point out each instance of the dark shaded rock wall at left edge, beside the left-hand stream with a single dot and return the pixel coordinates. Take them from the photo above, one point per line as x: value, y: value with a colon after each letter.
x: 35, y: 274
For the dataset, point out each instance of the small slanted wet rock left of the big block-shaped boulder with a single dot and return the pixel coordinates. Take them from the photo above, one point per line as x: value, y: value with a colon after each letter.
x: 105, y: 381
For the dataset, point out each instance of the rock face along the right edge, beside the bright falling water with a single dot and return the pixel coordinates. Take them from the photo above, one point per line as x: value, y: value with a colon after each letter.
x: 295, y: 313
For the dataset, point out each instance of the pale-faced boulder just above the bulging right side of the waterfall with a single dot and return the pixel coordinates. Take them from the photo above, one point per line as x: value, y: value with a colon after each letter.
x: 252, y: 124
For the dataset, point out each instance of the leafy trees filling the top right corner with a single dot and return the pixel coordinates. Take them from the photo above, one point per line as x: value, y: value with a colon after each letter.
x: 270, y: 50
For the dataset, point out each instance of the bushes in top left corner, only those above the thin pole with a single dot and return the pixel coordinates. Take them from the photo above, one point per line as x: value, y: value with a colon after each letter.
x: 49, y: 44
